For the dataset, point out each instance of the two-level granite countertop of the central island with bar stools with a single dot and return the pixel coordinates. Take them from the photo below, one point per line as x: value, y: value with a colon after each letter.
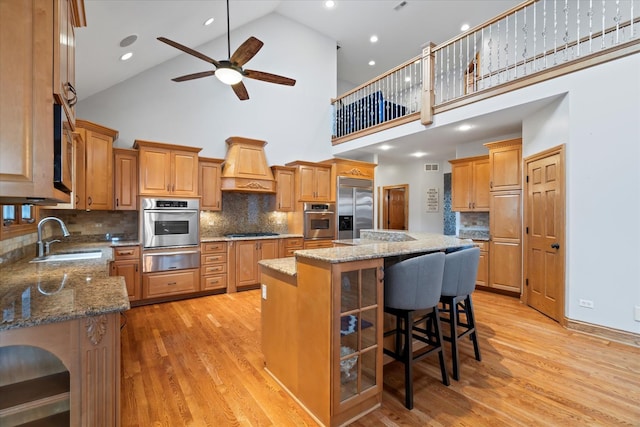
x: 373, y: 244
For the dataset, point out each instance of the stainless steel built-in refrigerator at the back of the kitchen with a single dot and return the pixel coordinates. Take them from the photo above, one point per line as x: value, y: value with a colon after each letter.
x: 355, y: 207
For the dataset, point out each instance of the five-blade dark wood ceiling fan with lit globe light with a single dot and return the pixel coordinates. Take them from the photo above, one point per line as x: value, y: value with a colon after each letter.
x: 230, y: 71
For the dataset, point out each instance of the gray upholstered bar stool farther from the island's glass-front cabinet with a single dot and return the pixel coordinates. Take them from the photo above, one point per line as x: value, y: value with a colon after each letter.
x: 459, y: 282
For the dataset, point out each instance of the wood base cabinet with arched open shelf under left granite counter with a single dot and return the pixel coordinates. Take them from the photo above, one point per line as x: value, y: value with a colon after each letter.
x: 64, y: 373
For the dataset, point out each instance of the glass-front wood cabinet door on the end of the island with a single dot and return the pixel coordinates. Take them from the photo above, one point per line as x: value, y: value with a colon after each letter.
x: 357, y: 349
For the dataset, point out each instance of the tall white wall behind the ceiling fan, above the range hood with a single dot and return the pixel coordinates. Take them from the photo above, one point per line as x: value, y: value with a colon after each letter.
x: 295, y: 121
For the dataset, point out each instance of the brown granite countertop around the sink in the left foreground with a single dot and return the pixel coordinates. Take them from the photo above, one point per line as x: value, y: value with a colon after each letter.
x: 33, y: 294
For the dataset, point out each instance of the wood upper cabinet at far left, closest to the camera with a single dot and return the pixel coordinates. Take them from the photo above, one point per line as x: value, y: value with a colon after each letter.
x: 27, y: 41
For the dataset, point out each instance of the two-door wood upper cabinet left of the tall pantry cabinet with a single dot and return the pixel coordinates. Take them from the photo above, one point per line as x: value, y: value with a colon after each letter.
x: 470, y: 184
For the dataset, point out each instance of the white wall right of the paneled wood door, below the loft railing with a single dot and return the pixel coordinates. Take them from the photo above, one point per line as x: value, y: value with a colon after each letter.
x: 599, y: 121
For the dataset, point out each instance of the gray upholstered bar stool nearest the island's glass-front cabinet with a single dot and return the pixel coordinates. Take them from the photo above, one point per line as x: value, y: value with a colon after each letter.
x: 411, y: 285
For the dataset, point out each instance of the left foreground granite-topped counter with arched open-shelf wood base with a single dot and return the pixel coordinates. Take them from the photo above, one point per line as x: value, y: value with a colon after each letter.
x: 60, y: 340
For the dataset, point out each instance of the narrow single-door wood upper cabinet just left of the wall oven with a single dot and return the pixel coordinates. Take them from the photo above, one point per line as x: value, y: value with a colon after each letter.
x: 125, y: 164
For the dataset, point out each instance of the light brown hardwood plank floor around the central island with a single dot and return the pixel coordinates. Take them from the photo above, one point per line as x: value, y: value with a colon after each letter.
x: 198, y: 363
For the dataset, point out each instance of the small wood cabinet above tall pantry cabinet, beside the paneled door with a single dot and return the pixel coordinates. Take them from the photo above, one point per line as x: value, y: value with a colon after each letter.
x: 506, y: 164
